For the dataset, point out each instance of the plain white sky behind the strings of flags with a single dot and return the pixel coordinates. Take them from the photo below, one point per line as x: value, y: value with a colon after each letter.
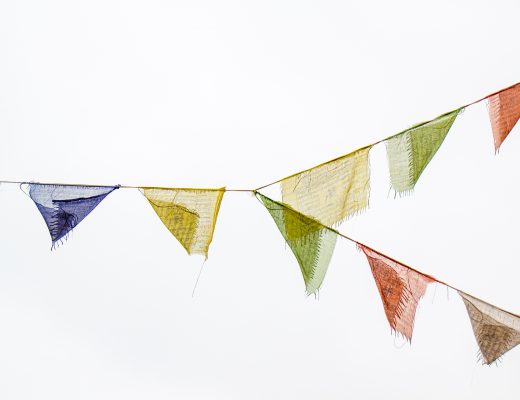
x: 206, y: 94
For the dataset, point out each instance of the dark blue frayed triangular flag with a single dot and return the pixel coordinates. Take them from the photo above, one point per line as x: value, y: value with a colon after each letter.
x: 63, y: 207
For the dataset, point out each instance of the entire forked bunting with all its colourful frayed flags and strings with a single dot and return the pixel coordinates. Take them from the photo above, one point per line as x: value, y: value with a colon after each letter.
x: 314, y: 202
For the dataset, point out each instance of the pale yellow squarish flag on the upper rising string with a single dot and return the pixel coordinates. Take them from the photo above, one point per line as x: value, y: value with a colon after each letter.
x: 333, y: 191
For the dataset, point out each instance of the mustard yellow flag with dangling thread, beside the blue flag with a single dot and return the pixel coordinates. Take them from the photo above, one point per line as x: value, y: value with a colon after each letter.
x: 189, y: 214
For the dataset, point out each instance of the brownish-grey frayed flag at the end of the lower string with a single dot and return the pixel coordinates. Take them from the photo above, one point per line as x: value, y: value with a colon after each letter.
x: 497, y: 331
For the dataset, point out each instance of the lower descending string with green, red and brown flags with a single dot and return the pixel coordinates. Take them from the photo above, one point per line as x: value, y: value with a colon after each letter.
x: 400, y: 286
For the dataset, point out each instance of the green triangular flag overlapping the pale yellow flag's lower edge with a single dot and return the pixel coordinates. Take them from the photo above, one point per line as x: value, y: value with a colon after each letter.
x: 310, y: 241
